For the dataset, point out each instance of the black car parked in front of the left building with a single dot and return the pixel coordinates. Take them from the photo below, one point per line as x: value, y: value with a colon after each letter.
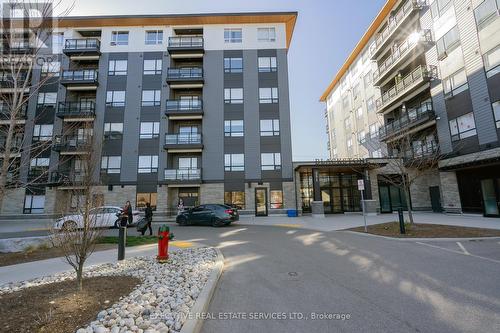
x: 210, y: 214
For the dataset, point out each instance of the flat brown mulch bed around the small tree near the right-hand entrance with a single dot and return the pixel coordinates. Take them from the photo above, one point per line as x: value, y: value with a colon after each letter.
x: 391, y: 229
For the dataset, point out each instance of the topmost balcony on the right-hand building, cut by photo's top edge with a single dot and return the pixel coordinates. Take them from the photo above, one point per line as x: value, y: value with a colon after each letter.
x: 395, y: 22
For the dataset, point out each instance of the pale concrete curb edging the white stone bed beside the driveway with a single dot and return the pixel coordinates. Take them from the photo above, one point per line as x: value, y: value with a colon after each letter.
x: 194, y: 322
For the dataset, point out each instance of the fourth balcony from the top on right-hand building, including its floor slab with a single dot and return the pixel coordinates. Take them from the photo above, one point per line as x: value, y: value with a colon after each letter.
x: 414, y: 120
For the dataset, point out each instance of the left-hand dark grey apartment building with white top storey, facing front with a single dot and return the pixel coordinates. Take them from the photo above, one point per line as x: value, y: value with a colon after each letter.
x: 191, y: 107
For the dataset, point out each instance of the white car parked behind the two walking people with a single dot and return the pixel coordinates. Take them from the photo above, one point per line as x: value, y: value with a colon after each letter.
x: 106, y: 217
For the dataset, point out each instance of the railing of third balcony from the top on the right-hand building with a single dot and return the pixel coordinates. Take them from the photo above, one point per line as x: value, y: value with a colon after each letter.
x: 419, y: 74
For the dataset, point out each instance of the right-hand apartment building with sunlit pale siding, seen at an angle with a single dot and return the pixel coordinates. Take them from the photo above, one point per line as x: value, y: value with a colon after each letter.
x: 431, y: 67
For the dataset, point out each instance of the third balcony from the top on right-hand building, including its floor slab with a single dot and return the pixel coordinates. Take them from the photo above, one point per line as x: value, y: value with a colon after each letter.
x: 407, y: 87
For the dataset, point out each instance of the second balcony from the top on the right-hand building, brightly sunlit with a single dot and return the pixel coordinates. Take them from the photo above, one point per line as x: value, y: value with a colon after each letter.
x: 404, y: 54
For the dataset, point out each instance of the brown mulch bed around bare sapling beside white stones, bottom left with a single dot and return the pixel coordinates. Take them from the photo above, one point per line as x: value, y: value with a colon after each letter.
x: 59, y: 307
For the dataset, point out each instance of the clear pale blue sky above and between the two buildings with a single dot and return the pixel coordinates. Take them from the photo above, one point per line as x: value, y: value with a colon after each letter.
x: 325, y: 34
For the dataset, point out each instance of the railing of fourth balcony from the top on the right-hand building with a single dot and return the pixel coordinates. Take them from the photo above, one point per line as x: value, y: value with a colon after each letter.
x: 413, y: 117
